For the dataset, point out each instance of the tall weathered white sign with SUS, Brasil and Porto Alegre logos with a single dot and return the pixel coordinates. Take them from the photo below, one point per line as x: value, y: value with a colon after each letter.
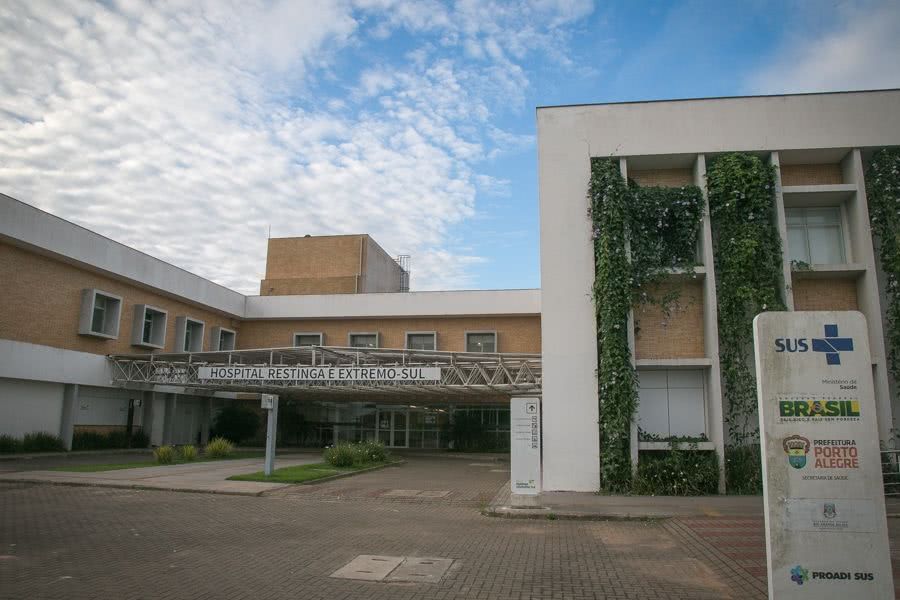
x: 826, y: 531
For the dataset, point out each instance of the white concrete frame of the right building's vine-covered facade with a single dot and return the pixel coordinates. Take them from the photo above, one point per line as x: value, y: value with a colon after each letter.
x: 680, y: 134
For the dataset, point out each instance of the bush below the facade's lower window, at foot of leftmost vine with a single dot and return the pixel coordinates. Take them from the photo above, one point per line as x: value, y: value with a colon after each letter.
x: 677, y: 472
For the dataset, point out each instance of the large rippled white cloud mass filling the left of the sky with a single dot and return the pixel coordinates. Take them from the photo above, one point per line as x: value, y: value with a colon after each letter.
x: 186, y: 129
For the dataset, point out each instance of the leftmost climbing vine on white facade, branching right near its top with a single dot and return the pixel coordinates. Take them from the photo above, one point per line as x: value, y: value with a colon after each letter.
x: 638, y: 233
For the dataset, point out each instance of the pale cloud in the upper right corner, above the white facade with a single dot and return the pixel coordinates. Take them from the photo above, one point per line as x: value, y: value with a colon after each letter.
x: 861, y: 53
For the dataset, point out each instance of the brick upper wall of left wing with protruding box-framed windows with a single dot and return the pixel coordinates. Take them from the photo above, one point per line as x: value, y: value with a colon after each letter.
x: 41, y: 304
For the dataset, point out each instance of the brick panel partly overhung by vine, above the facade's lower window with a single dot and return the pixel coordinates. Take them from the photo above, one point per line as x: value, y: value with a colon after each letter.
x: 680, y: 335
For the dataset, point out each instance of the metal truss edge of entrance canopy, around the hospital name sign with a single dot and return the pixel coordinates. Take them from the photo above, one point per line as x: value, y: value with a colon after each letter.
x: 461, y: 373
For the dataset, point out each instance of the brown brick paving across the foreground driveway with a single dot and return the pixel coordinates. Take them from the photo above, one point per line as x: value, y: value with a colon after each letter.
x: 74, y: 542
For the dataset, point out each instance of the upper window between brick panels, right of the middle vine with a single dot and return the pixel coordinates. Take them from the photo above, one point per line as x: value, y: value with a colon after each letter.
x: 815, y: 235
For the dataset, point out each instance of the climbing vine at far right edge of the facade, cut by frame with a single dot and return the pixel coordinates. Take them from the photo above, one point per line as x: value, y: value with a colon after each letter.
x: 883, y: 183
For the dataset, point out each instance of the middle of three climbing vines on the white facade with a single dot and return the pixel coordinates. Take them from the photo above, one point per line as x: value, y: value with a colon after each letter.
x: 748, y: 264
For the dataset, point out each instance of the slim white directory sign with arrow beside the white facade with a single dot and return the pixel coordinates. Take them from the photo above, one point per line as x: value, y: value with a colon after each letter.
x: 525, y: 450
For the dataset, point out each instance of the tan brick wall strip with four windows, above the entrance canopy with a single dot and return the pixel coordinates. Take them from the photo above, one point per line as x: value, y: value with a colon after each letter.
x: 514, y: 334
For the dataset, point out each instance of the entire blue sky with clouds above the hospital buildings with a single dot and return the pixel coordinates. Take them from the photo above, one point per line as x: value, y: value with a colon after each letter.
x: 189, y: 129
